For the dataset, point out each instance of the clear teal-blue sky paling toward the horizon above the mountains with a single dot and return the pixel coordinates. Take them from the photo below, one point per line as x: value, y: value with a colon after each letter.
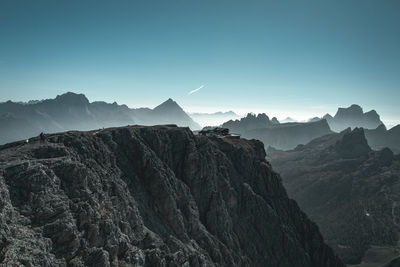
x: 285, y: 58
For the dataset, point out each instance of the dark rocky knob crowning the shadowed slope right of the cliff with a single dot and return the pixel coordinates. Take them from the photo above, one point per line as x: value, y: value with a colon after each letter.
x: 353, y: 144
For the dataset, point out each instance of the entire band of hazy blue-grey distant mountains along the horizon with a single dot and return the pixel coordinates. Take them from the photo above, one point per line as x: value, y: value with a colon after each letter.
x: 70, y: 111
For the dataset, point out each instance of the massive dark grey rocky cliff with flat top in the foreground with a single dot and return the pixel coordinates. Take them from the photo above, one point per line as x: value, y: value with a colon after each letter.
x: 149, y: 196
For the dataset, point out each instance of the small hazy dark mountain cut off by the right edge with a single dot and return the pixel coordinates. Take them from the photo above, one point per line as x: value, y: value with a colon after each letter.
x: 381, y: 137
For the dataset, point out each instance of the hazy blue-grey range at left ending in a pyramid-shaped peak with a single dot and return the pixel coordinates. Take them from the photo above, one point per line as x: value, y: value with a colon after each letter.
x: 72, y: 111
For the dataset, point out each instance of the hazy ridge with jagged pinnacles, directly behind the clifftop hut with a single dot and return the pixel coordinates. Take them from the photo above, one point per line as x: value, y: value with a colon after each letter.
x: 282, y: 136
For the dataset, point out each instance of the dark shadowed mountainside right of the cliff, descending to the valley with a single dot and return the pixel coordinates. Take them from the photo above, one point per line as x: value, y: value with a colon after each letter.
x: 350, y: 191
